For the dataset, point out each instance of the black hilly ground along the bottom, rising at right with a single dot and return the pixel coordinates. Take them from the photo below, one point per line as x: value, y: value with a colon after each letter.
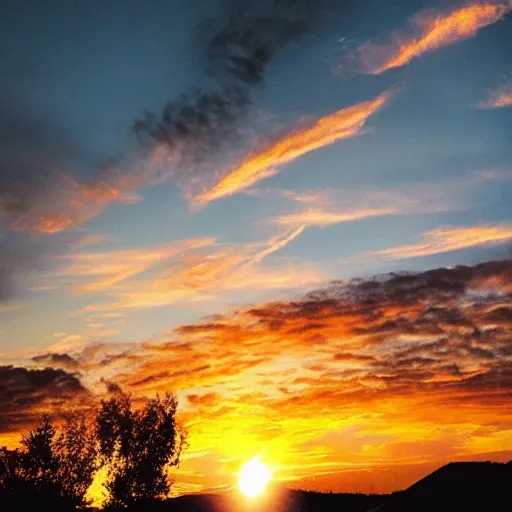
x: 459, y: 486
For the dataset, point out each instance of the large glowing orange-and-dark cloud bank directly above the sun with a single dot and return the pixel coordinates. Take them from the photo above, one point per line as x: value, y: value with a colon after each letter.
x: 373, y: 366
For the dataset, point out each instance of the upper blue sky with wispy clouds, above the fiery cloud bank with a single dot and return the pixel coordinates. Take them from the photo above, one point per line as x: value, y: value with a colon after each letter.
x: 105, y: 242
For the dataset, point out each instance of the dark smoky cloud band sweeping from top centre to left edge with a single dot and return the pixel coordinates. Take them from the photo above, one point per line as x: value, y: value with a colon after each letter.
x: 50, y: 183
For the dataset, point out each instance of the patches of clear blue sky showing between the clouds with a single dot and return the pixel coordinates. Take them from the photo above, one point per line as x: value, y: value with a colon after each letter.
x: 81, y: 74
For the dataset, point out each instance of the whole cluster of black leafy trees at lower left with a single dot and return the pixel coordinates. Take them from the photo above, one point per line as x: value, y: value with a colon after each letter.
x: 55, y: 466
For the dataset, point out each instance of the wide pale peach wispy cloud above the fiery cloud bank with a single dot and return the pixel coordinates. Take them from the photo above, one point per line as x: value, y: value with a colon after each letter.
x: 187, y: 270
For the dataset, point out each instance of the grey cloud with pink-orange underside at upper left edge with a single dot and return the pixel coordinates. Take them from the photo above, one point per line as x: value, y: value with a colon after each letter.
x: 38, y: 192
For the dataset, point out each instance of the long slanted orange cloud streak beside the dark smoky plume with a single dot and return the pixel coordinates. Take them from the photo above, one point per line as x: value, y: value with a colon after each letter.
x: 262, y: 164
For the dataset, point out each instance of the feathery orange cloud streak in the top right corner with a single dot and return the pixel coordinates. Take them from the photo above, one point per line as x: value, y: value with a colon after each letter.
x: 432, y: 30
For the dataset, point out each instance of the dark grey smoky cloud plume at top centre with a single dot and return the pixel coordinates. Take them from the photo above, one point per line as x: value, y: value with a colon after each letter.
x: 238, y: 47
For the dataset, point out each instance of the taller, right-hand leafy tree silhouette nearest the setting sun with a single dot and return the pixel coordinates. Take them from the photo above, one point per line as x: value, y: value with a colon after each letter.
x: 138, y: 447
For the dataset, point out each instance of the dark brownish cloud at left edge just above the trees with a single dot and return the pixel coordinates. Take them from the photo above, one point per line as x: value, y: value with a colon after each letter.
x: 24, y: 394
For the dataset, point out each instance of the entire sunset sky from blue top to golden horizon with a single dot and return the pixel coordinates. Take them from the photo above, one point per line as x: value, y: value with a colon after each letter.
x: 296, y: 215
